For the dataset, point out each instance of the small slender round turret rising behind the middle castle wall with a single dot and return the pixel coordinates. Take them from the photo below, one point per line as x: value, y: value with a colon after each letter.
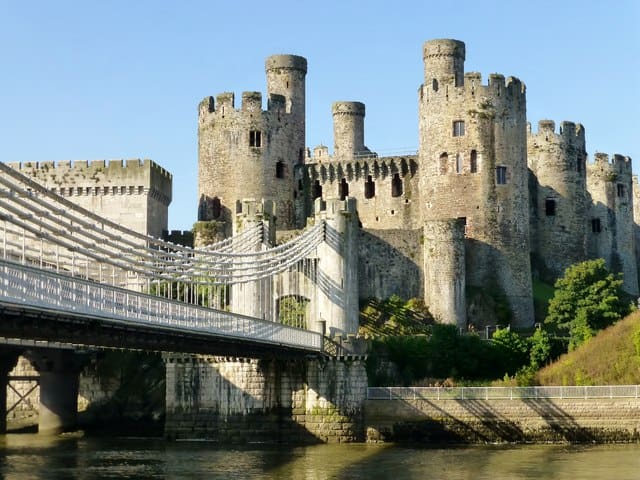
x: 348, y: 130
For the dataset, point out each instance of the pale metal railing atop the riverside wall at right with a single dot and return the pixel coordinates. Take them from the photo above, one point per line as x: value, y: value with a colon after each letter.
x: 502, y: 393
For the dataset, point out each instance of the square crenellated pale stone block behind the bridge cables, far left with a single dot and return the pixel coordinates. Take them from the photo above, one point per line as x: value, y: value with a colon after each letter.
x: 135, y: 193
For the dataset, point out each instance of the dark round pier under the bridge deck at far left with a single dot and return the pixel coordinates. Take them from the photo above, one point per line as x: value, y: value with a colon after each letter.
x: 59, y: 378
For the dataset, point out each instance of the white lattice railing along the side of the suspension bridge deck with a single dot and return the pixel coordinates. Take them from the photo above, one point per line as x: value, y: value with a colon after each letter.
x: 49, y: 291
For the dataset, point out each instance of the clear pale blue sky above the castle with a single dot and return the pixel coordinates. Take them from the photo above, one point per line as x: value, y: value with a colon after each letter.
x: 122, y: 79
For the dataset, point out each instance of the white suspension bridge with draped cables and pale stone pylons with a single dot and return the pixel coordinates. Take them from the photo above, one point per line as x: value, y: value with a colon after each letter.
x: 72, y: 281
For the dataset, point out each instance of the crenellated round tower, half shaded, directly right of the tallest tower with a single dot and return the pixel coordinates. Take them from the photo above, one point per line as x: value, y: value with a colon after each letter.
x: 558, y: 197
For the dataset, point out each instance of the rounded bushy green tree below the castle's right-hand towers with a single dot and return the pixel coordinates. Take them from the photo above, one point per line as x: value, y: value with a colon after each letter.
x: 588, y: 298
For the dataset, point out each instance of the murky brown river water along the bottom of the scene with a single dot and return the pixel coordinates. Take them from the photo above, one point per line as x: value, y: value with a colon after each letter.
x: 29, y: 456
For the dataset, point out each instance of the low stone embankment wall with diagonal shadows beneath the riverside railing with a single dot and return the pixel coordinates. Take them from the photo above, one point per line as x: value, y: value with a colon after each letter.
x: 526, y: 420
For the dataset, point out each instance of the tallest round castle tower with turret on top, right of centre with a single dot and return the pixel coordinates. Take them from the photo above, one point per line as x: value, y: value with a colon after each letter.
x: 472, y: 163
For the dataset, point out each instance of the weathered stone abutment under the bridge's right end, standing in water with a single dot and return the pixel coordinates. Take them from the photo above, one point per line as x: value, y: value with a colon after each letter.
x: 278, y: 401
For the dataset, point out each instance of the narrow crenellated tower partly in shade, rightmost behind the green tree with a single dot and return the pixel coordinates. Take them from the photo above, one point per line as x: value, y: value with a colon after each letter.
x: 611, y: 232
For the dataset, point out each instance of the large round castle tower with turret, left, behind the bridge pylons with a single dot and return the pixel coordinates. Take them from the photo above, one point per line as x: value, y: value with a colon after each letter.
x: 250, y: 153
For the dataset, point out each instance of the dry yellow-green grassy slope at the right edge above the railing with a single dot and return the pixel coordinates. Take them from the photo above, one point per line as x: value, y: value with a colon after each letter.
x: 609, y: 358
